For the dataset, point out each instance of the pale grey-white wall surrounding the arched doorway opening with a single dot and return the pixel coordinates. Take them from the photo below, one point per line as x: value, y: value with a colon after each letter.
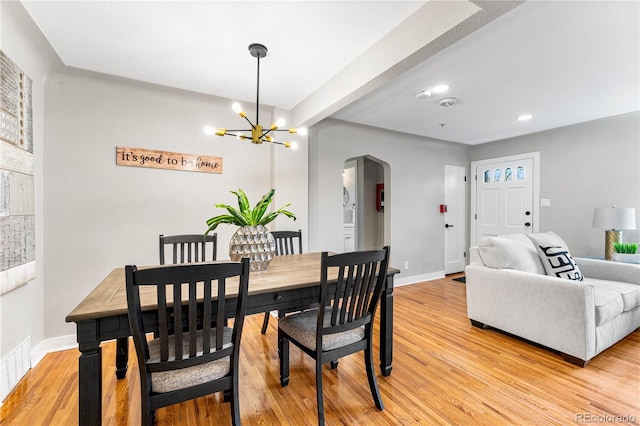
x: 414, y: 187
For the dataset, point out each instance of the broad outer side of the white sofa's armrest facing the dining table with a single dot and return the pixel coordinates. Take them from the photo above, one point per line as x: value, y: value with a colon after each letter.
x: 553, y: 312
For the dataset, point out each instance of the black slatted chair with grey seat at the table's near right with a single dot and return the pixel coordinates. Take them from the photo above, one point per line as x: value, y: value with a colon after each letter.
x: 342, y: 323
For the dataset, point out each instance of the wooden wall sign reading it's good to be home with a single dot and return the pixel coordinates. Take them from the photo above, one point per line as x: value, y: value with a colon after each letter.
x: 139, y: 157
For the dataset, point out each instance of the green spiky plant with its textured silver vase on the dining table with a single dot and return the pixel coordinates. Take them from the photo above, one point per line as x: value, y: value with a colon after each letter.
x: 252, y: 239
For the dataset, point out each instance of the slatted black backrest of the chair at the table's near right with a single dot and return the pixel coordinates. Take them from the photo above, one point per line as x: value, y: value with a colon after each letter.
x: 359, y: 283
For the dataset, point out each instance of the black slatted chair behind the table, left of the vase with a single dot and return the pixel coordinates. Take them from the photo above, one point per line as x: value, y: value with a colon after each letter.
x: 189, y: 248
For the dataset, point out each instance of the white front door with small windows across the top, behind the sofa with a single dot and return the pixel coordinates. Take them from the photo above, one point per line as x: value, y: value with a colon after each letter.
x: 504, y: 196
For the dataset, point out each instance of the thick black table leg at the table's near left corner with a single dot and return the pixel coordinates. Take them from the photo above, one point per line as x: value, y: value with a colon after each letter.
x: 90, y: 385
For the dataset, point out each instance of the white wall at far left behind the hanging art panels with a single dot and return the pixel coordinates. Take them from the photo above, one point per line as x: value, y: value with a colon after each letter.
x: 21, y: 309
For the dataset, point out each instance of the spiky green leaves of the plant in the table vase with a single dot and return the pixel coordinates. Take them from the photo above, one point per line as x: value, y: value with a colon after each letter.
x: 244, y: 215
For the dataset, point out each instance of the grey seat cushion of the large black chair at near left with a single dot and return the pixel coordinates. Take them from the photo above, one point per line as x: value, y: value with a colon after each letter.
x: 167, y: 381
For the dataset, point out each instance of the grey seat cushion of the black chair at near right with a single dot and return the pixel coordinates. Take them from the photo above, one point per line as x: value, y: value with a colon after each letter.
x: 302, y: 328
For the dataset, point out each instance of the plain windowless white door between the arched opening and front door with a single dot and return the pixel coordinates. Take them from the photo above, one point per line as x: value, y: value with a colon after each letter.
x: 454, y: 219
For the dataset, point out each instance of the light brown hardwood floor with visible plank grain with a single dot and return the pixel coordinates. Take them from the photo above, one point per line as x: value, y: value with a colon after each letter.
x: 444, y: 372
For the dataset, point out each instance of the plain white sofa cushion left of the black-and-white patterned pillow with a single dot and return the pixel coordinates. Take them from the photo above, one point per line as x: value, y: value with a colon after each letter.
x: 510, y: 252
